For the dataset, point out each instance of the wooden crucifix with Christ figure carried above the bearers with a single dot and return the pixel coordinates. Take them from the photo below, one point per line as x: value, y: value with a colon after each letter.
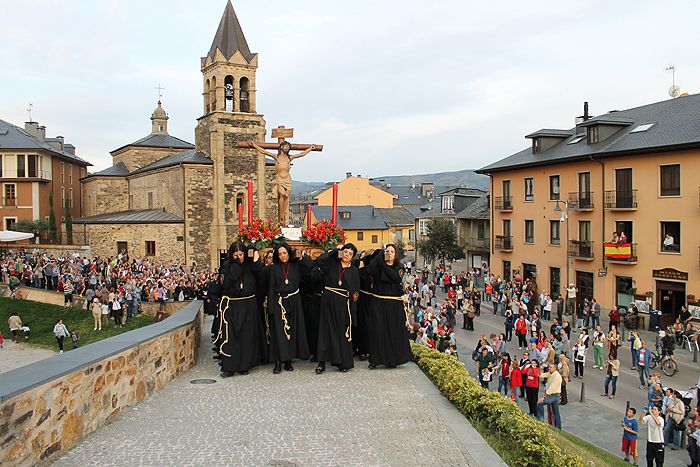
x: 283, y: 162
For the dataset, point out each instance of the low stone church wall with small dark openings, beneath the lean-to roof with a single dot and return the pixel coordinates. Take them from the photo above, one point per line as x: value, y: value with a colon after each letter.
x: 169, y: 239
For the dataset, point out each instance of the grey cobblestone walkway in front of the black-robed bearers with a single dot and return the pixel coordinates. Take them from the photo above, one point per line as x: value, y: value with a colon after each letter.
x: 363, y: 417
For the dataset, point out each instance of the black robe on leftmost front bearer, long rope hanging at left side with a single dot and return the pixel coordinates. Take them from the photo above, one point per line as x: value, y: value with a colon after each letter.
x: 242, y: 341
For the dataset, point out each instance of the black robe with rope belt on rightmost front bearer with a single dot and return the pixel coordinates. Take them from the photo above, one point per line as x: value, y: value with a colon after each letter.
x: 389, y: 333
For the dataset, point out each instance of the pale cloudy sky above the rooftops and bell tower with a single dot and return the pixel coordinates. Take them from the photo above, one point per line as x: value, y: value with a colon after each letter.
x: 388, y: 87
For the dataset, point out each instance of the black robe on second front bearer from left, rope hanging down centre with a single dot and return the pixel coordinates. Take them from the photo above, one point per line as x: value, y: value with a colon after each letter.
x: 285, y: 313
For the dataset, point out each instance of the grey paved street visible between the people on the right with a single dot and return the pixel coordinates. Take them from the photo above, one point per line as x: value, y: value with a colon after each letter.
x: 598, y: 419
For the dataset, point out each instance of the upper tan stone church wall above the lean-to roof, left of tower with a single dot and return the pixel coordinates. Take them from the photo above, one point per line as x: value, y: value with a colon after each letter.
x: 166, y: 186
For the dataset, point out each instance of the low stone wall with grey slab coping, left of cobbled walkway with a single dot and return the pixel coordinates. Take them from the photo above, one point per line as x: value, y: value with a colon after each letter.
x: 46, y: 407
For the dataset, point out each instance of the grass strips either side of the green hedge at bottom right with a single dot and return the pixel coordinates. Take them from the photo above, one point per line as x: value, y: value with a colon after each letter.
x: 591, y: 454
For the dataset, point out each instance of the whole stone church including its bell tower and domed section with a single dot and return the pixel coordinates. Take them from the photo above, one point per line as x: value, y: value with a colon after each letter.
x: 169, y: 199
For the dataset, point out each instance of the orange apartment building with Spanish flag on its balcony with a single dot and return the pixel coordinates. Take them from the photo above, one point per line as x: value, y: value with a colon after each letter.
x: 611, y: 205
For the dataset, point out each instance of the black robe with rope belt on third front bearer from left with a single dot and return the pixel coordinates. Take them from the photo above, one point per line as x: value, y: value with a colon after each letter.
x: 337, y: 310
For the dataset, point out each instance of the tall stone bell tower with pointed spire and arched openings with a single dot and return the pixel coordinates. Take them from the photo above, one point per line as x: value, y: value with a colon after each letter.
x: 229, y: 116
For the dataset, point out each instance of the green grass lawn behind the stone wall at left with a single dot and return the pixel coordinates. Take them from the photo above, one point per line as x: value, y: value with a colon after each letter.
x: 42, y: 318
